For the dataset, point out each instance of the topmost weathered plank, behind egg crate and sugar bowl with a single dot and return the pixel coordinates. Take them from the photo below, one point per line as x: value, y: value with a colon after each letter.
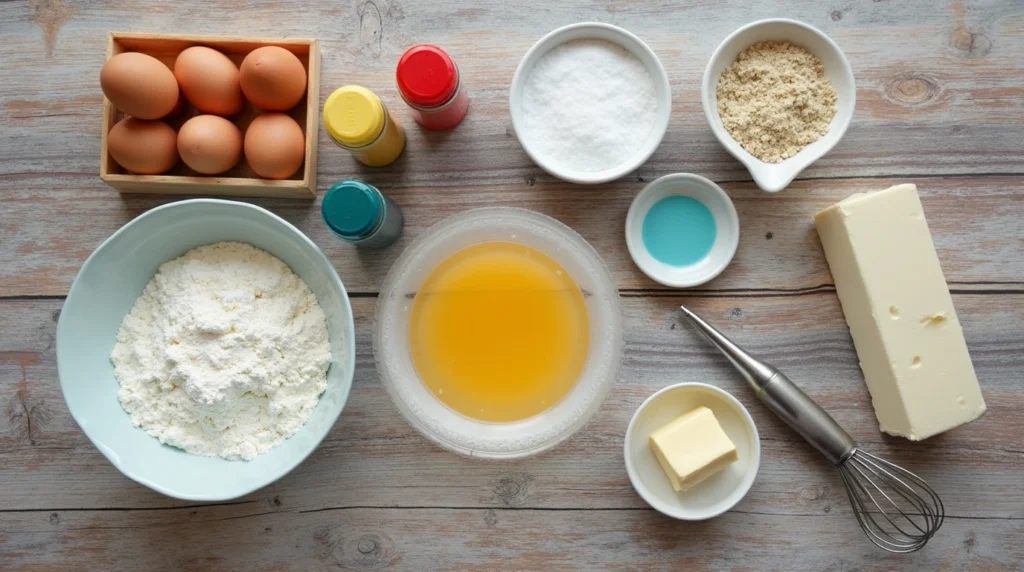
x: 940, y: 89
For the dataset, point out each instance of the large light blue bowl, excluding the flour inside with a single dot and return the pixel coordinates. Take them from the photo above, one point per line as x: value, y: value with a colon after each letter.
x: 105, y: 291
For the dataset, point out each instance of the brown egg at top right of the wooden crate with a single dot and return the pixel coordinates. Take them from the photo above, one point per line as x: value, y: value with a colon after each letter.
x: 273, y: 79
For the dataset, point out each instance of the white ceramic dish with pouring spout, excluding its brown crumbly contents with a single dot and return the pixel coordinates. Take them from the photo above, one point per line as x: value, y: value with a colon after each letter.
x: 774, y: 178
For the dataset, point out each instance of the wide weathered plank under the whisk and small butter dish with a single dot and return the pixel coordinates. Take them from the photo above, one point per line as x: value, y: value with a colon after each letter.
x: 370, y: 458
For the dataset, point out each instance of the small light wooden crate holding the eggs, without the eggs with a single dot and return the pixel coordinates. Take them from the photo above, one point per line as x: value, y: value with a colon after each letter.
x: 240, y: 181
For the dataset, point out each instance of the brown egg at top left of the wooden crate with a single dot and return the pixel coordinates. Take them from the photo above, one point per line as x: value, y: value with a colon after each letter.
x: 140, y: 85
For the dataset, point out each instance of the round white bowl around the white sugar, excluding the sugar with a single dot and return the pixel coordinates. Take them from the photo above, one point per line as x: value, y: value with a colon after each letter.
x: 608, y: 33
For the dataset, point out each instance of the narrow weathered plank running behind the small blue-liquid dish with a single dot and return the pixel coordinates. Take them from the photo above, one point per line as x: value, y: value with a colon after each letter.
x: 975, y: 223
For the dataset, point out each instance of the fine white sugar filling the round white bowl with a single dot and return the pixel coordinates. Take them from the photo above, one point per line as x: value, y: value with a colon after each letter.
x: 588, y: 106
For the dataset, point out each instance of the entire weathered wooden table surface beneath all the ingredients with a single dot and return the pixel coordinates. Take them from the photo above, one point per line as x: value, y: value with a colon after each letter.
x: 941, y: 103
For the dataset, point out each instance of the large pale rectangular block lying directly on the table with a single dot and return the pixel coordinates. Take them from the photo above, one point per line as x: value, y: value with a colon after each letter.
x: 901, y: 315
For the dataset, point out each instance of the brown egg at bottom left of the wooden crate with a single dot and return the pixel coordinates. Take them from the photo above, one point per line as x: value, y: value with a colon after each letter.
x: 144, y: 147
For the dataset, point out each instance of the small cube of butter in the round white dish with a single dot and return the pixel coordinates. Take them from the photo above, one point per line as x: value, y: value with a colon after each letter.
x: 693, y: 449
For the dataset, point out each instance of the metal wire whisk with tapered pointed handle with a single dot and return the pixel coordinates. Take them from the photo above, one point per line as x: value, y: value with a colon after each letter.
x: 895, y: 508
